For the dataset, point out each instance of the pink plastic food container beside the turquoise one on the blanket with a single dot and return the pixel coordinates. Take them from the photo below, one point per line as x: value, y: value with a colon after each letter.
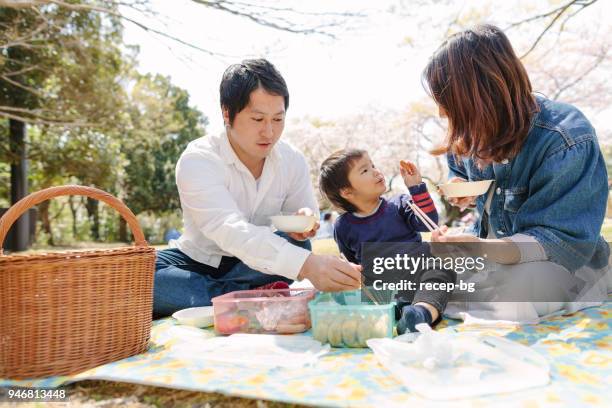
x: 278, y: 311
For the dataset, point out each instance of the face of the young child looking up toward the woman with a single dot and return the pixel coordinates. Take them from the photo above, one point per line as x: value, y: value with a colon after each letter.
x: 366, y: 180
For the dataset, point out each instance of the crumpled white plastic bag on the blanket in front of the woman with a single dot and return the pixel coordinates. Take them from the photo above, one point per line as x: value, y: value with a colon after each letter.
x: 443, y: 366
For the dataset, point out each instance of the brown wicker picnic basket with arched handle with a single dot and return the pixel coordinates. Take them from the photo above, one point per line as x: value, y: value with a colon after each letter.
x: 62, y: 313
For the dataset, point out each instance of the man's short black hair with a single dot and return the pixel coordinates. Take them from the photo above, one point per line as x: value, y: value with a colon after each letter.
x: 239, y: 80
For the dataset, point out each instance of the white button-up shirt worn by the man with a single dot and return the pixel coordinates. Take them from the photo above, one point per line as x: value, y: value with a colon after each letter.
x: 226, y: 212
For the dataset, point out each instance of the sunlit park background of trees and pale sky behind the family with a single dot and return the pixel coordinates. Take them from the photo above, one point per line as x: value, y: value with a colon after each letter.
x: 108, y: 93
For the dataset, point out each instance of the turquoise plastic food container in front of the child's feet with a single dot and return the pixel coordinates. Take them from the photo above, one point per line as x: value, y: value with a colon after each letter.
x: 346, y: 320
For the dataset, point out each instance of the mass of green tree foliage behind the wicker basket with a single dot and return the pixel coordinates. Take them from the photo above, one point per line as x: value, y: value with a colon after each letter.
x: 67, y: 73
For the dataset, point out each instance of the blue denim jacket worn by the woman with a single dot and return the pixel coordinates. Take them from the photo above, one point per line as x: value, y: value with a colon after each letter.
x: 555, y: 189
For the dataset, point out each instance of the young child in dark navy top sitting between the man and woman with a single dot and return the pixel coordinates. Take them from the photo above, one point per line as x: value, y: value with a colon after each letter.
x: 351, y: 182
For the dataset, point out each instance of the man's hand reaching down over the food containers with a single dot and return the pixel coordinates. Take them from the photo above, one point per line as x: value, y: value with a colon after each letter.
x: 331, y: 274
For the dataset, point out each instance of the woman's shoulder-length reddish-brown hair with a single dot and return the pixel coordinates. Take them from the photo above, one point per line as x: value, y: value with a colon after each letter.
x: 479, y: 83
